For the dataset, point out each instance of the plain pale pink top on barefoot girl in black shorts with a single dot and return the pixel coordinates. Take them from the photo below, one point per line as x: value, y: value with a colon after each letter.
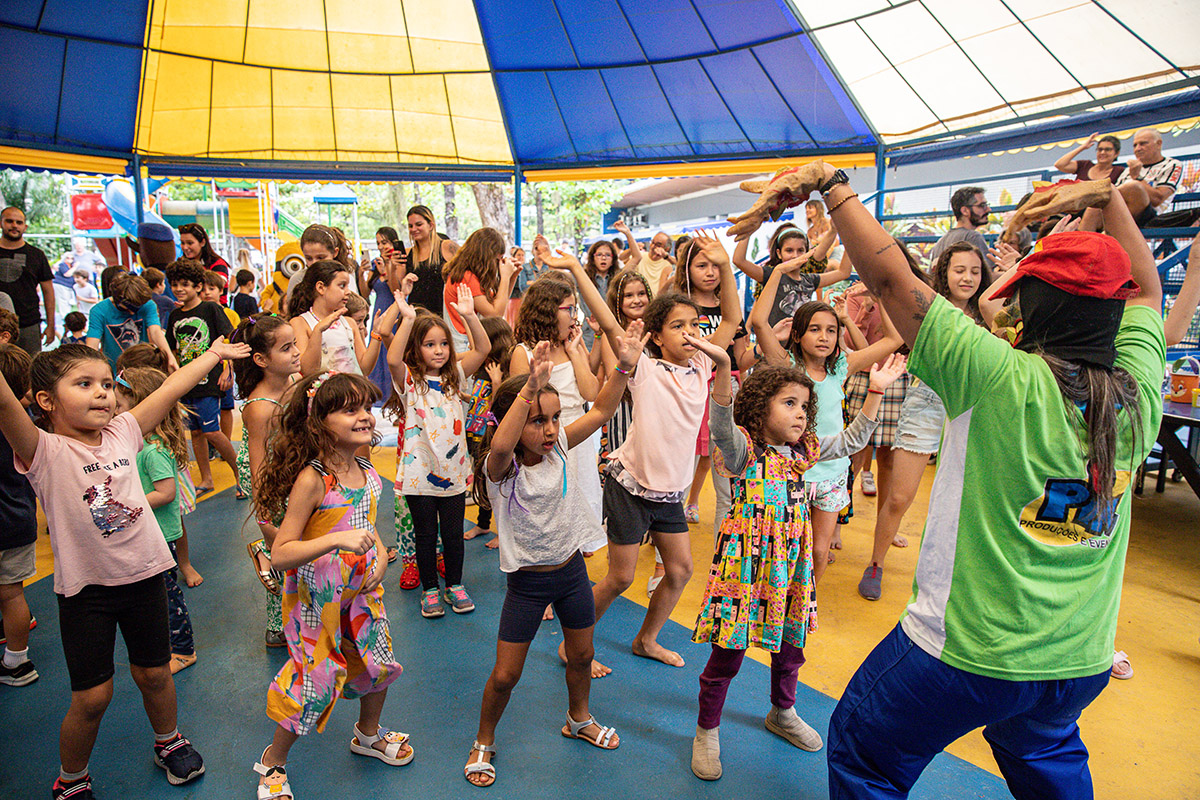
x: 669, y: 406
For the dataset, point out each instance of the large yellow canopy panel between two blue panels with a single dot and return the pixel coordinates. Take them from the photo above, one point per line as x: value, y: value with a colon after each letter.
x: 308, y: 81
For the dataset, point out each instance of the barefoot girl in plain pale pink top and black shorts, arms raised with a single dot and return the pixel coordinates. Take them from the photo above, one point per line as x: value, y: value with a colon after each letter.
x: 651, y: 473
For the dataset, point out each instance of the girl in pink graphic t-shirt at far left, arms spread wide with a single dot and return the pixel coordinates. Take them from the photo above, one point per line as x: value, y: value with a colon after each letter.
x: 110, y: 552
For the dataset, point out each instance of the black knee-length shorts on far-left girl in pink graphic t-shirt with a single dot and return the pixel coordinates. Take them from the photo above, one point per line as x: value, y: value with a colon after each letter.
x: 89, y: 621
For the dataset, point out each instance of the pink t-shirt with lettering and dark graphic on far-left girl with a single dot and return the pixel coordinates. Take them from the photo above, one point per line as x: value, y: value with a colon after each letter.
x: 103, y: 530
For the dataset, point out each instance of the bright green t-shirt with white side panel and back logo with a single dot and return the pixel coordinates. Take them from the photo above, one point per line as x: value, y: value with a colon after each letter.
x: 1016, y: 580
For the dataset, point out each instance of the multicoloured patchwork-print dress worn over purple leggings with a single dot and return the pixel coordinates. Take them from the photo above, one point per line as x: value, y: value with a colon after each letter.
x: 760, y: 586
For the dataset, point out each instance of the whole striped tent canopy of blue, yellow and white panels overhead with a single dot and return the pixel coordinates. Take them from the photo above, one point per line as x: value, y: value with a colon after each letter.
x: 441, y: 88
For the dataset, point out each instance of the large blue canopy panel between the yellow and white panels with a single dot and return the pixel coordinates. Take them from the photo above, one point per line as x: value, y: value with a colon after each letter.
x: 595, y: 82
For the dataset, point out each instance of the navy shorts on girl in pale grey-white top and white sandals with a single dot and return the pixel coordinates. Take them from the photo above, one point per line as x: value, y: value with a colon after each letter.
x: 567, y: 588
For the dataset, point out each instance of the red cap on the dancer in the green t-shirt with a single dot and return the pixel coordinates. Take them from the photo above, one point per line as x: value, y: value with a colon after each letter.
x: 1081, y: 263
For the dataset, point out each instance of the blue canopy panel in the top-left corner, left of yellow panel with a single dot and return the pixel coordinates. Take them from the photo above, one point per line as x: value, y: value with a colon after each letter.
x: 83, y: 94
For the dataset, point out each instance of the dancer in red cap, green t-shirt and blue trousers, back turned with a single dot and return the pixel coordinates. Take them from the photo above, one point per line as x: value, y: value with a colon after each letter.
x: 1018, y: 585
